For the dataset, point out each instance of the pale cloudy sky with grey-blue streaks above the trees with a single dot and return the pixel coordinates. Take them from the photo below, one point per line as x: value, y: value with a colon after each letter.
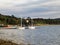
x: 31, y: 8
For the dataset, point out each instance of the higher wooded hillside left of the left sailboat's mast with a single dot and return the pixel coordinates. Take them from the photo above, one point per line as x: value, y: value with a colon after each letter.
x: 11, y: 20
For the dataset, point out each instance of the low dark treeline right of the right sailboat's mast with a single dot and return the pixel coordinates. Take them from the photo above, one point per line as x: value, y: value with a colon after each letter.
x: 46, y: 21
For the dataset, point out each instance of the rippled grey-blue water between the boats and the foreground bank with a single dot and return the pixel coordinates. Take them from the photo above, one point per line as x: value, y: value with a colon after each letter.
x: 42, y: 35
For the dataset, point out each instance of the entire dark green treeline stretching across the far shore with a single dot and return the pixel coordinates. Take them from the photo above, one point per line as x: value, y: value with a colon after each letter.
x: 12, y: 20
